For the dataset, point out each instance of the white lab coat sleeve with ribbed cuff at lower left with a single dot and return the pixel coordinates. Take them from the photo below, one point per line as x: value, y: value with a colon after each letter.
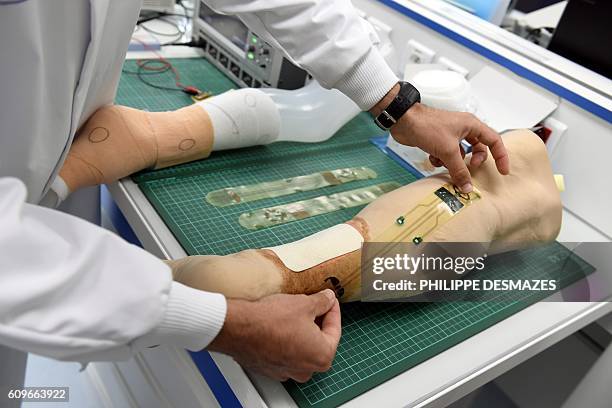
x: 74, y: 291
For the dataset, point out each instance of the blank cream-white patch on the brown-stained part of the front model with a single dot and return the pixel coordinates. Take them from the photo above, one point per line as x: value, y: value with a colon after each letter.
x: 318, y: 248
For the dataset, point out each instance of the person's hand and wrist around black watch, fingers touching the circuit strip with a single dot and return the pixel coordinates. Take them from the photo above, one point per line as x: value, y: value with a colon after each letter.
x: 439, y: 133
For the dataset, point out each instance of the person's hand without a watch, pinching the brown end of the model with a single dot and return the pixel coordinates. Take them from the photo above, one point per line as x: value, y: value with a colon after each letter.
x: 282, y: 336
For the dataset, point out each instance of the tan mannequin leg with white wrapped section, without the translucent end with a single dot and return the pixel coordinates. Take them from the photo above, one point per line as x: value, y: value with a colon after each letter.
x: 118, y: 141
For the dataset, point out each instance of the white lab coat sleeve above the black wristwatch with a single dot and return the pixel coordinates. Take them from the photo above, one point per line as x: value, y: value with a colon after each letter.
x: 325, y: 37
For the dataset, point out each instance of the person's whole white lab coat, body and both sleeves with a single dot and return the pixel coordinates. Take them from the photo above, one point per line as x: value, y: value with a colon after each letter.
x: 69, y: 289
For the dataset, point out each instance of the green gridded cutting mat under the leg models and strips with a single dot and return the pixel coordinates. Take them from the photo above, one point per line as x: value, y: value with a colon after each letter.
x: 379, y: 340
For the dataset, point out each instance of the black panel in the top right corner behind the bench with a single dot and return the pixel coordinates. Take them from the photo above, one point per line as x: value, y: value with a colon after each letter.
x: 584, y: 33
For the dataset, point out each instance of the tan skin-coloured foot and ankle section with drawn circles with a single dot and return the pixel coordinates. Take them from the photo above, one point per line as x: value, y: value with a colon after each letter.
x: 117, y: 141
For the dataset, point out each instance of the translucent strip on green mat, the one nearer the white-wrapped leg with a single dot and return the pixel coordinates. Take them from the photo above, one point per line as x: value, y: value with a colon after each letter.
x: 278, y: 188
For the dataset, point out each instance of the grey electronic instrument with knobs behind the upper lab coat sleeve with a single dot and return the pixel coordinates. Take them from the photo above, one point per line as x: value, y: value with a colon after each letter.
x: 241, y: 54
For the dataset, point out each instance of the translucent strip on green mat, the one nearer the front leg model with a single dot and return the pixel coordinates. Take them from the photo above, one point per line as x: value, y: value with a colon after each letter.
x: 282, y: 214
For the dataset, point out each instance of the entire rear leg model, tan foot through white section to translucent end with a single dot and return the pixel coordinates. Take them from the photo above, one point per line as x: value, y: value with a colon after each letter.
x: 118, y: 141
